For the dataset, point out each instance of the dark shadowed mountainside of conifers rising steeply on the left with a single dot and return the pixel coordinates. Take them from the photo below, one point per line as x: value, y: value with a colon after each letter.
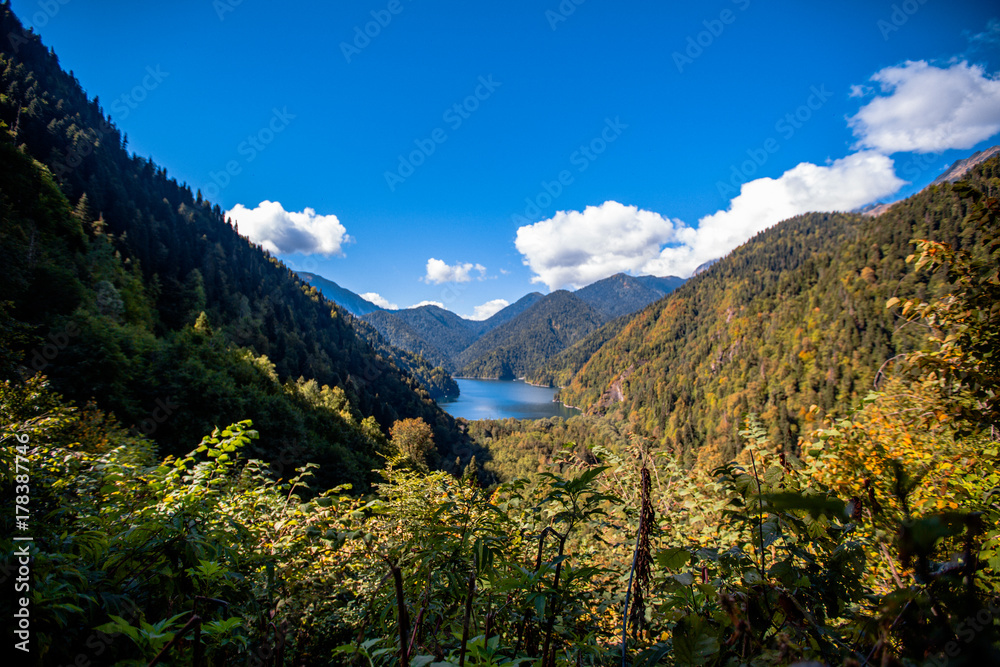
x: 137, y: 298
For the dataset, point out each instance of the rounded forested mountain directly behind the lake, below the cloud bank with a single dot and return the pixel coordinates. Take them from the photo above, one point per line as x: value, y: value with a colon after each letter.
x: 513, y: 349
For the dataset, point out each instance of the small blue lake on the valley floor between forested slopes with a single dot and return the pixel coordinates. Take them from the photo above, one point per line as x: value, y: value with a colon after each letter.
x: 500, y: 399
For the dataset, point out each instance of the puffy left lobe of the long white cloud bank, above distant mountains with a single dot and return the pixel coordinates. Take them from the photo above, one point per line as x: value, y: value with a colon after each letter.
x: 575, y: 248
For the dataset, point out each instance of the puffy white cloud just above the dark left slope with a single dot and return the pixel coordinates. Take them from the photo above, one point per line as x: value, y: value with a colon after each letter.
x: 281, y: 232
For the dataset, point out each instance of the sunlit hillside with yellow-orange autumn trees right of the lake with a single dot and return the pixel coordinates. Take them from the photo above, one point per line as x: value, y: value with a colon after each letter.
x: 793, y: 318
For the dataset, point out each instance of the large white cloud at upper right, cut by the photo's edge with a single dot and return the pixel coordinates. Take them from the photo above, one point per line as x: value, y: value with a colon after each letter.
x: 928, y: 109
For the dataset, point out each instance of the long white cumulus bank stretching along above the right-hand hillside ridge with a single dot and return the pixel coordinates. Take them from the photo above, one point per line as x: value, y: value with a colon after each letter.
x: 578, y: 248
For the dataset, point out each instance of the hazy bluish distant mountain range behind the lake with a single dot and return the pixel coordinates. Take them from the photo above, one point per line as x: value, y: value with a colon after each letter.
x: 513, y: 342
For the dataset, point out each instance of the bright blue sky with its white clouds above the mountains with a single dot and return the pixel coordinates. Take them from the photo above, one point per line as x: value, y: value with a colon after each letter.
x: 466, y: 153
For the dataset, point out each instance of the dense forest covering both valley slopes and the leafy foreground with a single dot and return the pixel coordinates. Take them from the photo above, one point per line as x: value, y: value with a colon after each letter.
x: 793, y: 459
